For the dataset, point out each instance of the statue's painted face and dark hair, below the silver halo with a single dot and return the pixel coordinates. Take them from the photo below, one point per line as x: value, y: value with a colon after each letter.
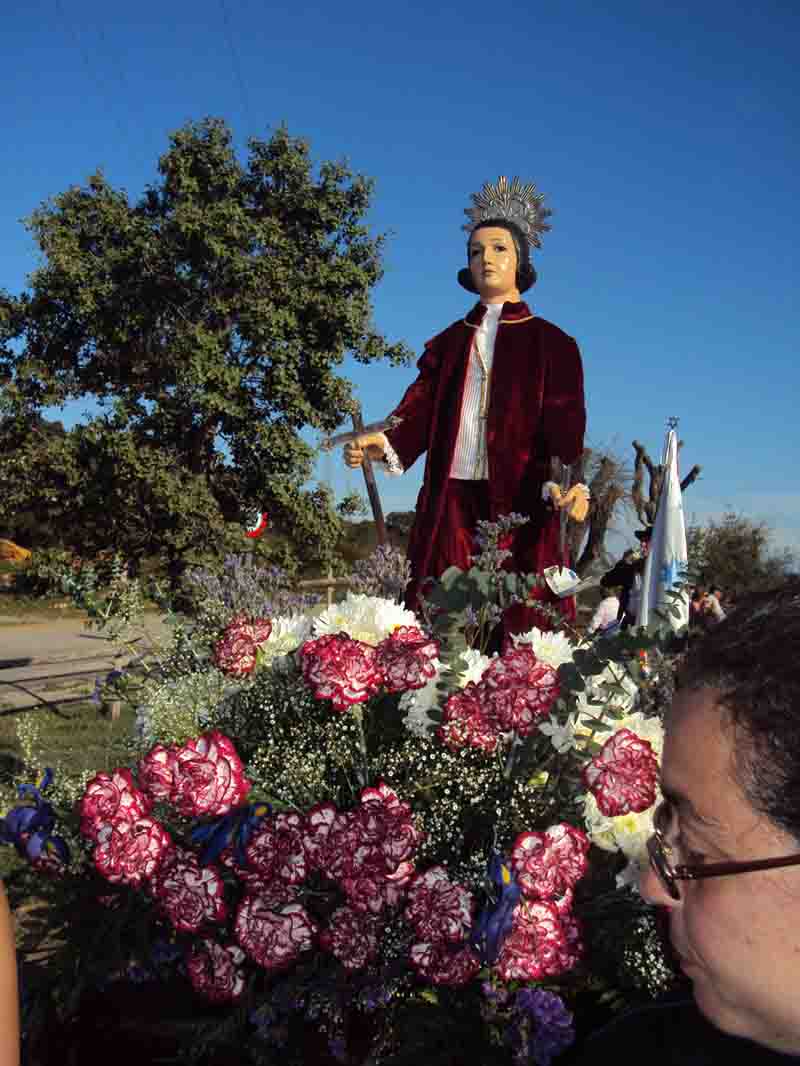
x: 499, y: 263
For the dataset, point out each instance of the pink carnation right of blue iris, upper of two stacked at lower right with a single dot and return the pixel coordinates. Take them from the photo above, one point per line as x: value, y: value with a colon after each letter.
x: 548, y: 865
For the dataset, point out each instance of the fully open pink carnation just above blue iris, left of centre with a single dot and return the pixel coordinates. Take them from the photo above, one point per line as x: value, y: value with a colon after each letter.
x: 210, y: 778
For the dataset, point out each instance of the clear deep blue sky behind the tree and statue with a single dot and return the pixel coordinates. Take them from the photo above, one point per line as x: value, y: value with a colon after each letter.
x: 665, y: 137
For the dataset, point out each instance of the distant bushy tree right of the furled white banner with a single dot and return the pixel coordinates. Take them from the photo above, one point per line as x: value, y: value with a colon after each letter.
x: 738, y: 554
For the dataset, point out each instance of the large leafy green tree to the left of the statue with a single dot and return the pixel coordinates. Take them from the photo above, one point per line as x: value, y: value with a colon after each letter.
x: 207, y: 319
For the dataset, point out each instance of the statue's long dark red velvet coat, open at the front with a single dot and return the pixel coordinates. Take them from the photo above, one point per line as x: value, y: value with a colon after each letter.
x: 536, y: 412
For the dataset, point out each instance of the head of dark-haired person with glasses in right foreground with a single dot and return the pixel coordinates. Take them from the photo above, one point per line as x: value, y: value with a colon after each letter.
x: 731, y: 779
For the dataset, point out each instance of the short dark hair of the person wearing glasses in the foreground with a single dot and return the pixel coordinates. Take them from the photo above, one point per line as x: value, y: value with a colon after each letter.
x: 753, y: 660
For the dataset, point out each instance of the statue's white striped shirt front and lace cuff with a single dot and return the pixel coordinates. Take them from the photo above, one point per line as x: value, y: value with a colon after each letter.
x: 470, y: 457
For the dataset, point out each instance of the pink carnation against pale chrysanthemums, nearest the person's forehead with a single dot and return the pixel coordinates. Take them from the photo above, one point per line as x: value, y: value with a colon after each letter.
x: 623, y: 776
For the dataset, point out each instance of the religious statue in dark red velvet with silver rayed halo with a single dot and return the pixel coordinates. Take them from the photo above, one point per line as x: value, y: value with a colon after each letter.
x: 500, y: 396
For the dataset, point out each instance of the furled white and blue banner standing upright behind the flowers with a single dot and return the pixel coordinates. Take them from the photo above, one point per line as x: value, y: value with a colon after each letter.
x: 668, y: 557
